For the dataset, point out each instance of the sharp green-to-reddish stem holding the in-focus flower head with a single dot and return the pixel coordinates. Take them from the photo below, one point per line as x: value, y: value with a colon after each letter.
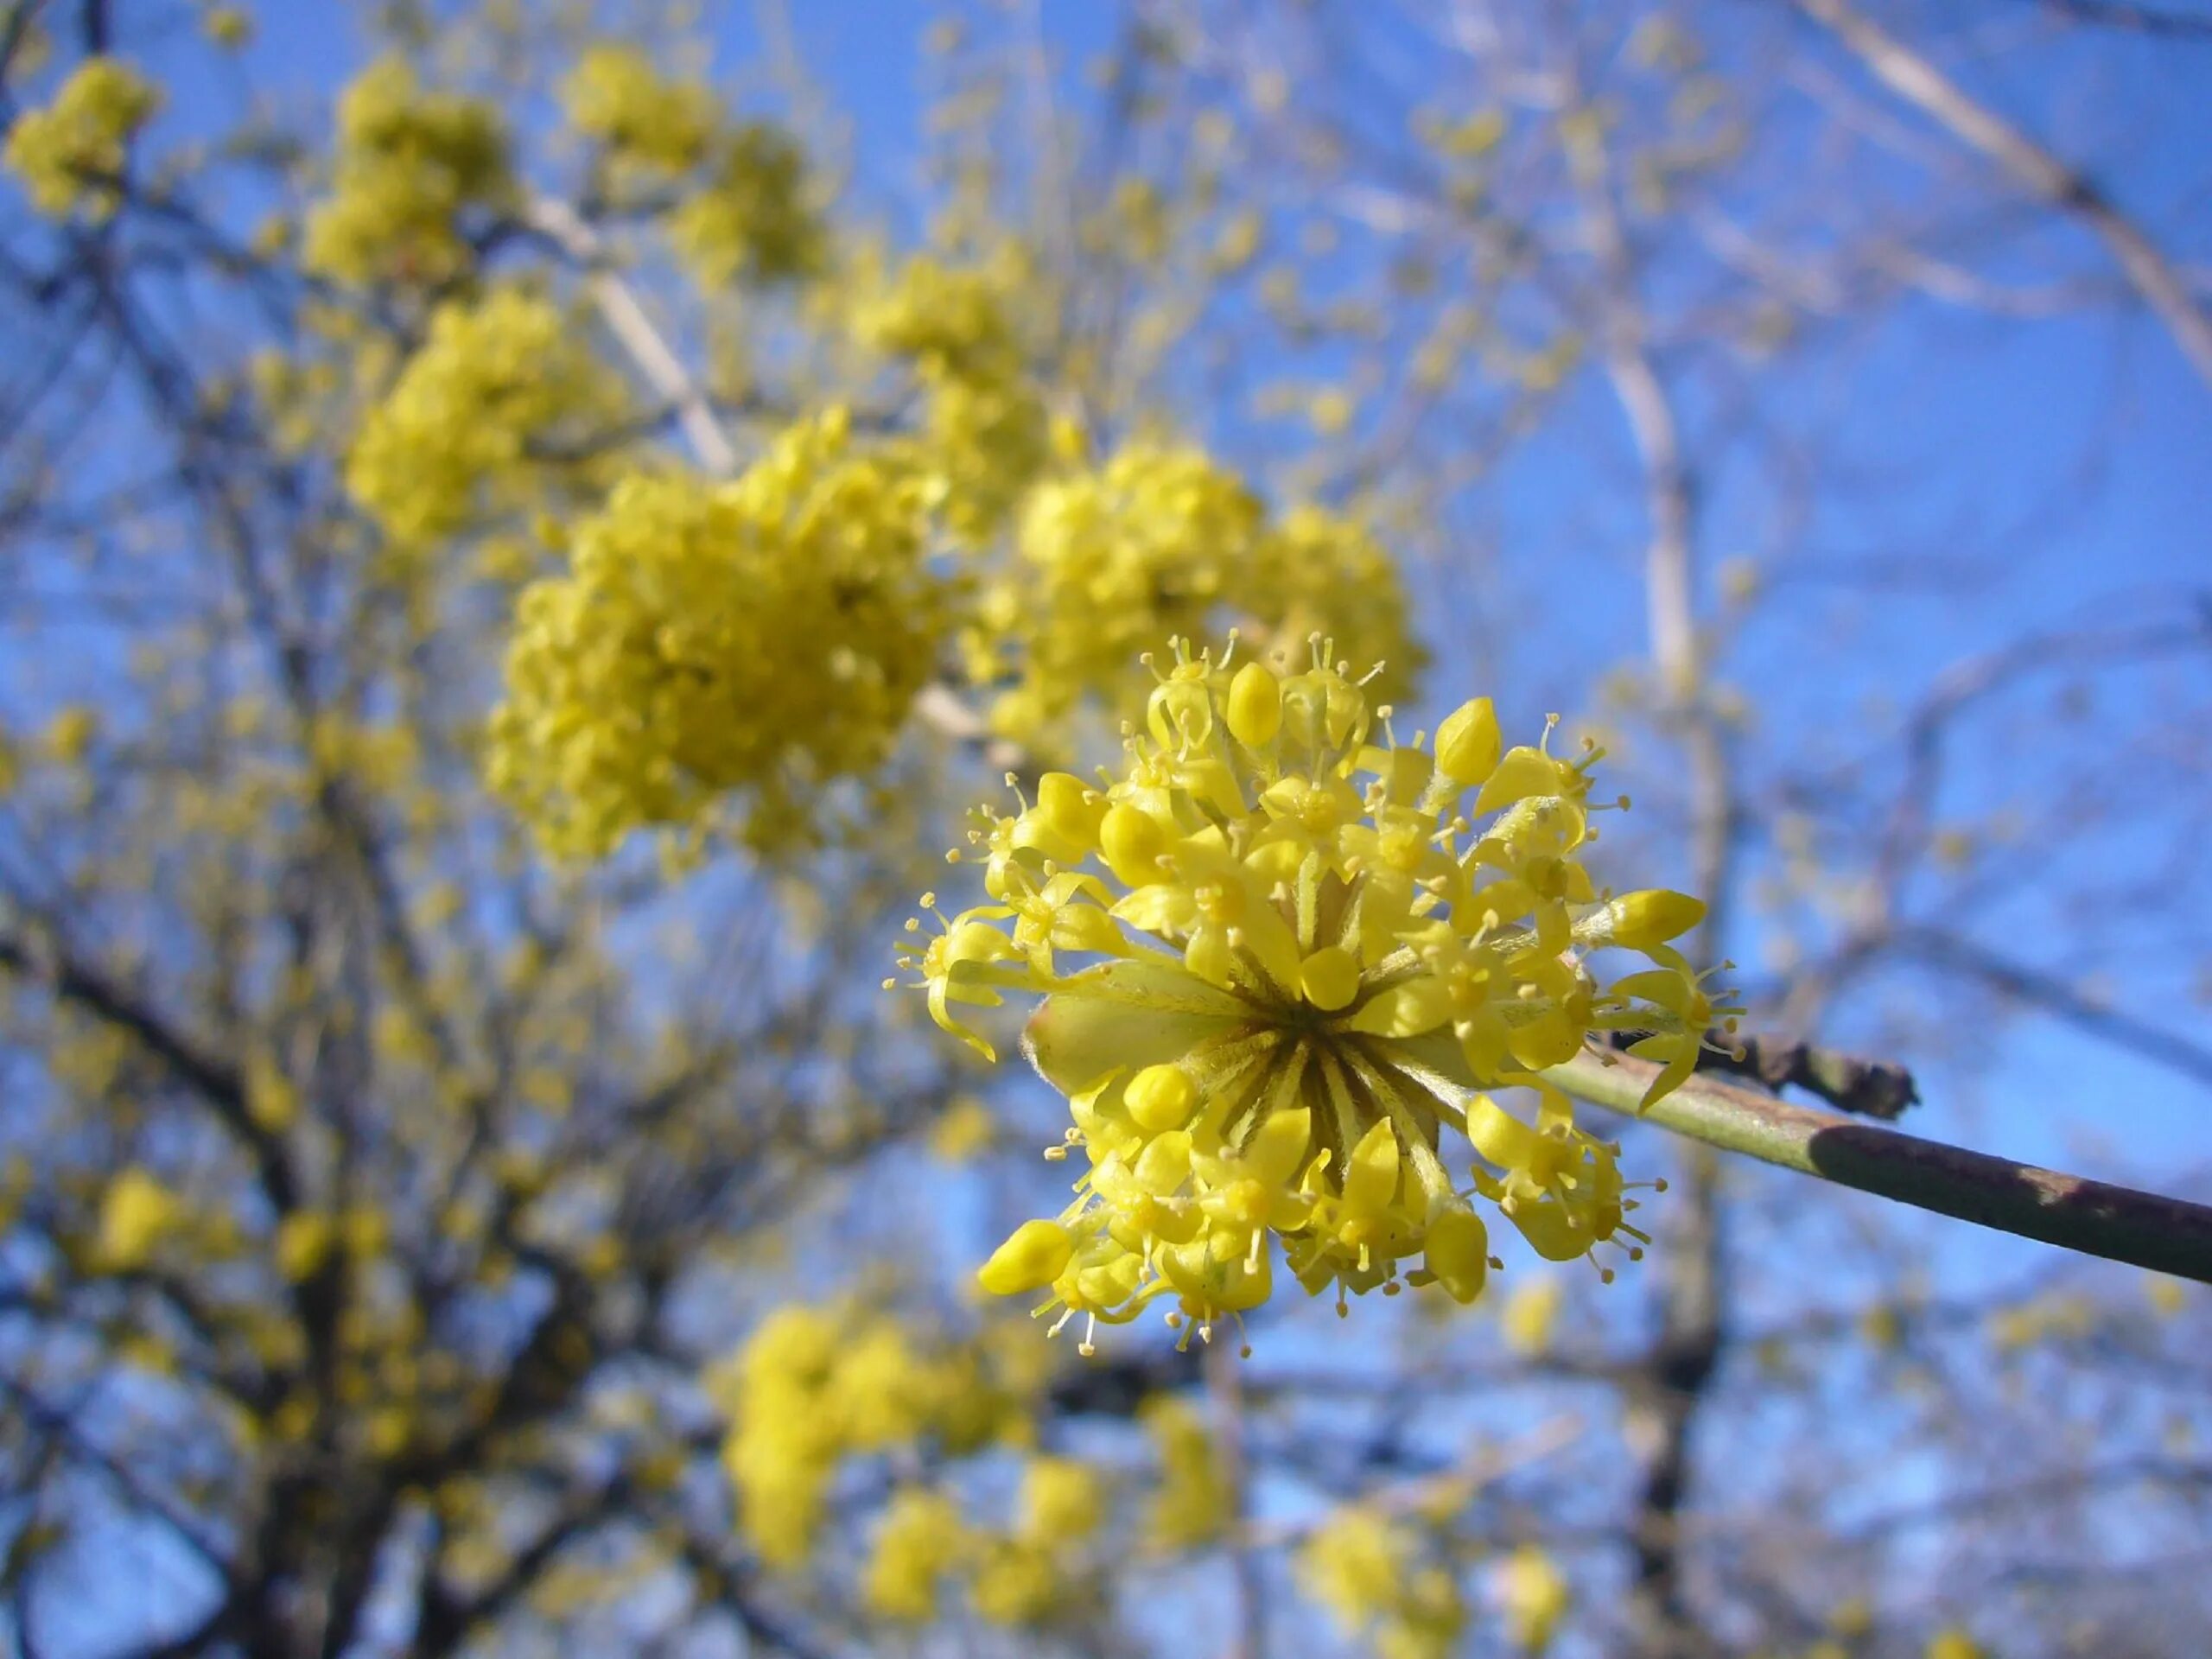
x: 2094, y: 1218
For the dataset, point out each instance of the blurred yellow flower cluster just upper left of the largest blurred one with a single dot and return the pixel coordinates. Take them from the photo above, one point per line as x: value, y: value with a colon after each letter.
x: 452, y: 439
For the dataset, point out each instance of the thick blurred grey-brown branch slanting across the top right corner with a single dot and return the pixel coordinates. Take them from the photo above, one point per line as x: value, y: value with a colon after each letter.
x: 1981, y: 129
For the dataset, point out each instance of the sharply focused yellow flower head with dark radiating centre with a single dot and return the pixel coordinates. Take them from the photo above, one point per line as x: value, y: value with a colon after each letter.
x: 1280, y: 957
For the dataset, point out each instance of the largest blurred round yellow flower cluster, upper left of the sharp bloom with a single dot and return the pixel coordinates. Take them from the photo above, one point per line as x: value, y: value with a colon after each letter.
x: 760, y: 636
